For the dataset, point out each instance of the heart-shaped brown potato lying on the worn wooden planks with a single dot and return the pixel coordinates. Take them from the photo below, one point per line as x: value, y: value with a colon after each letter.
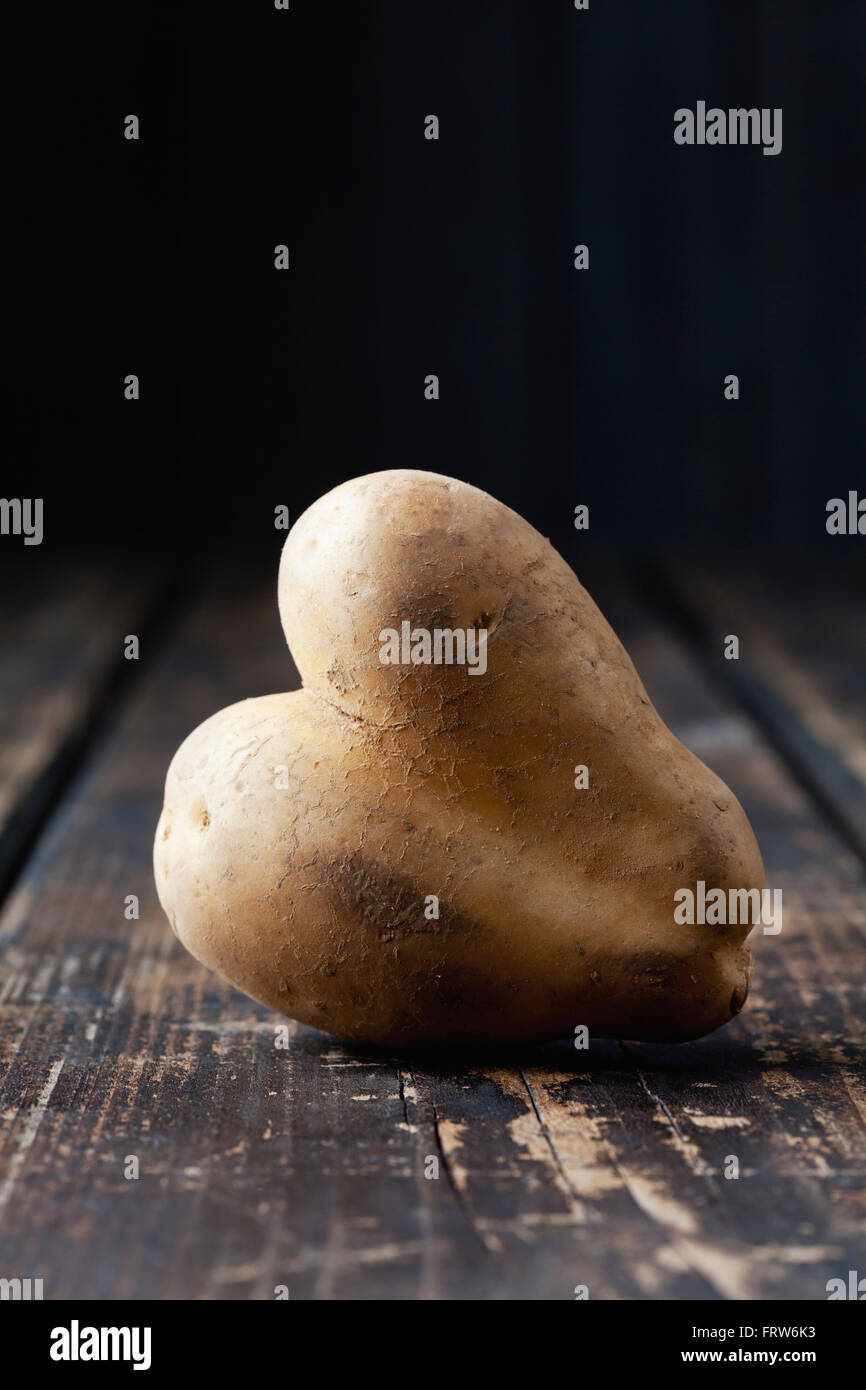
x: 398, y: 853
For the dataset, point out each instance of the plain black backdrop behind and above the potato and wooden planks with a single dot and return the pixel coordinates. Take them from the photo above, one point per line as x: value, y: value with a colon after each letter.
x: 414, y: 258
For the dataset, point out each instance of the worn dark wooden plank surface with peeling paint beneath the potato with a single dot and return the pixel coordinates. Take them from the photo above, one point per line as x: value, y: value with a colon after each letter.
x: 307, y: 1167
